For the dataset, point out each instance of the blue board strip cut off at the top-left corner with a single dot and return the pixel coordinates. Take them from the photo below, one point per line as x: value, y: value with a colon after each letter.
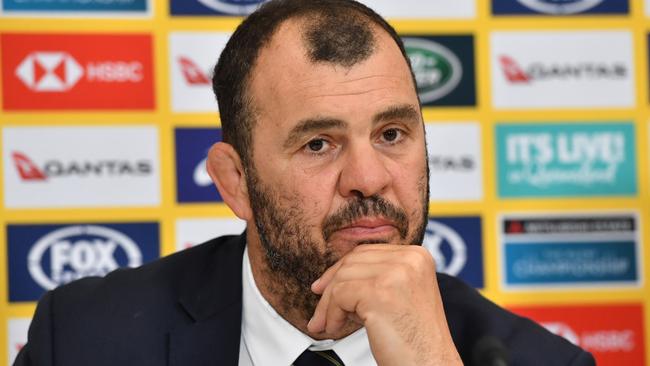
x: 58, y: 8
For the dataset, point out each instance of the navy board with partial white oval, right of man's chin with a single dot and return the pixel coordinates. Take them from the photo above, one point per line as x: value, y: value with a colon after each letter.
x: 456, y: 245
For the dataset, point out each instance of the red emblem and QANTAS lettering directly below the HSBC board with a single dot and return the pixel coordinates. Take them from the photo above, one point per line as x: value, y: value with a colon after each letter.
x: 29, y: 171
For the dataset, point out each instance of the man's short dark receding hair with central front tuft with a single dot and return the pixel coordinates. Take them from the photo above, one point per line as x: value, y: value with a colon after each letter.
x: 337, y: 31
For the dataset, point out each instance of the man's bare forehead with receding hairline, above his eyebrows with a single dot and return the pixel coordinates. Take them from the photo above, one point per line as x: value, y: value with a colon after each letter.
x: 286, y: 86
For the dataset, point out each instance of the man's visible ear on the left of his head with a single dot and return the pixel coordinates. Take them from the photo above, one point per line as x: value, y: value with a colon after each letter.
x: 225, y: 168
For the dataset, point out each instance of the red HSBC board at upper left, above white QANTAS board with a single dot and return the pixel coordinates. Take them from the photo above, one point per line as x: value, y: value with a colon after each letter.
x: 77, y: 71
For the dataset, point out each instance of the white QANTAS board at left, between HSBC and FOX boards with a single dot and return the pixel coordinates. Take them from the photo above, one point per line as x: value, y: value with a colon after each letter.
x: 55, y: 167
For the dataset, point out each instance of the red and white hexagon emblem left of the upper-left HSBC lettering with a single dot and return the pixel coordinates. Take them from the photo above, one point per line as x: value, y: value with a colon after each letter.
x: 49, y: 71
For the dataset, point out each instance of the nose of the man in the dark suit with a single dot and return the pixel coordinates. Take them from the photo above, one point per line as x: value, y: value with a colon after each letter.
x: 364, y: 173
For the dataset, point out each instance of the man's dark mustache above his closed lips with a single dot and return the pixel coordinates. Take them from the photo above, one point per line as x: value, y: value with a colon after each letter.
x: 373, y: 206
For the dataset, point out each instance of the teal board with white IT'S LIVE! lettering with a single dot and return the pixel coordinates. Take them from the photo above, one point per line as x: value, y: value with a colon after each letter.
x: 568, y: 159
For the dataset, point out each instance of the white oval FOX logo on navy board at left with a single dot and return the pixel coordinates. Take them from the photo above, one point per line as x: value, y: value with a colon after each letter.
x: 74, y: 252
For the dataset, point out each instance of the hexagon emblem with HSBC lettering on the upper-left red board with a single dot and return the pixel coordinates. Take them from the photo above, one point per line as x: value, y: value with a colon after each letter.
x: 59, y: 71
